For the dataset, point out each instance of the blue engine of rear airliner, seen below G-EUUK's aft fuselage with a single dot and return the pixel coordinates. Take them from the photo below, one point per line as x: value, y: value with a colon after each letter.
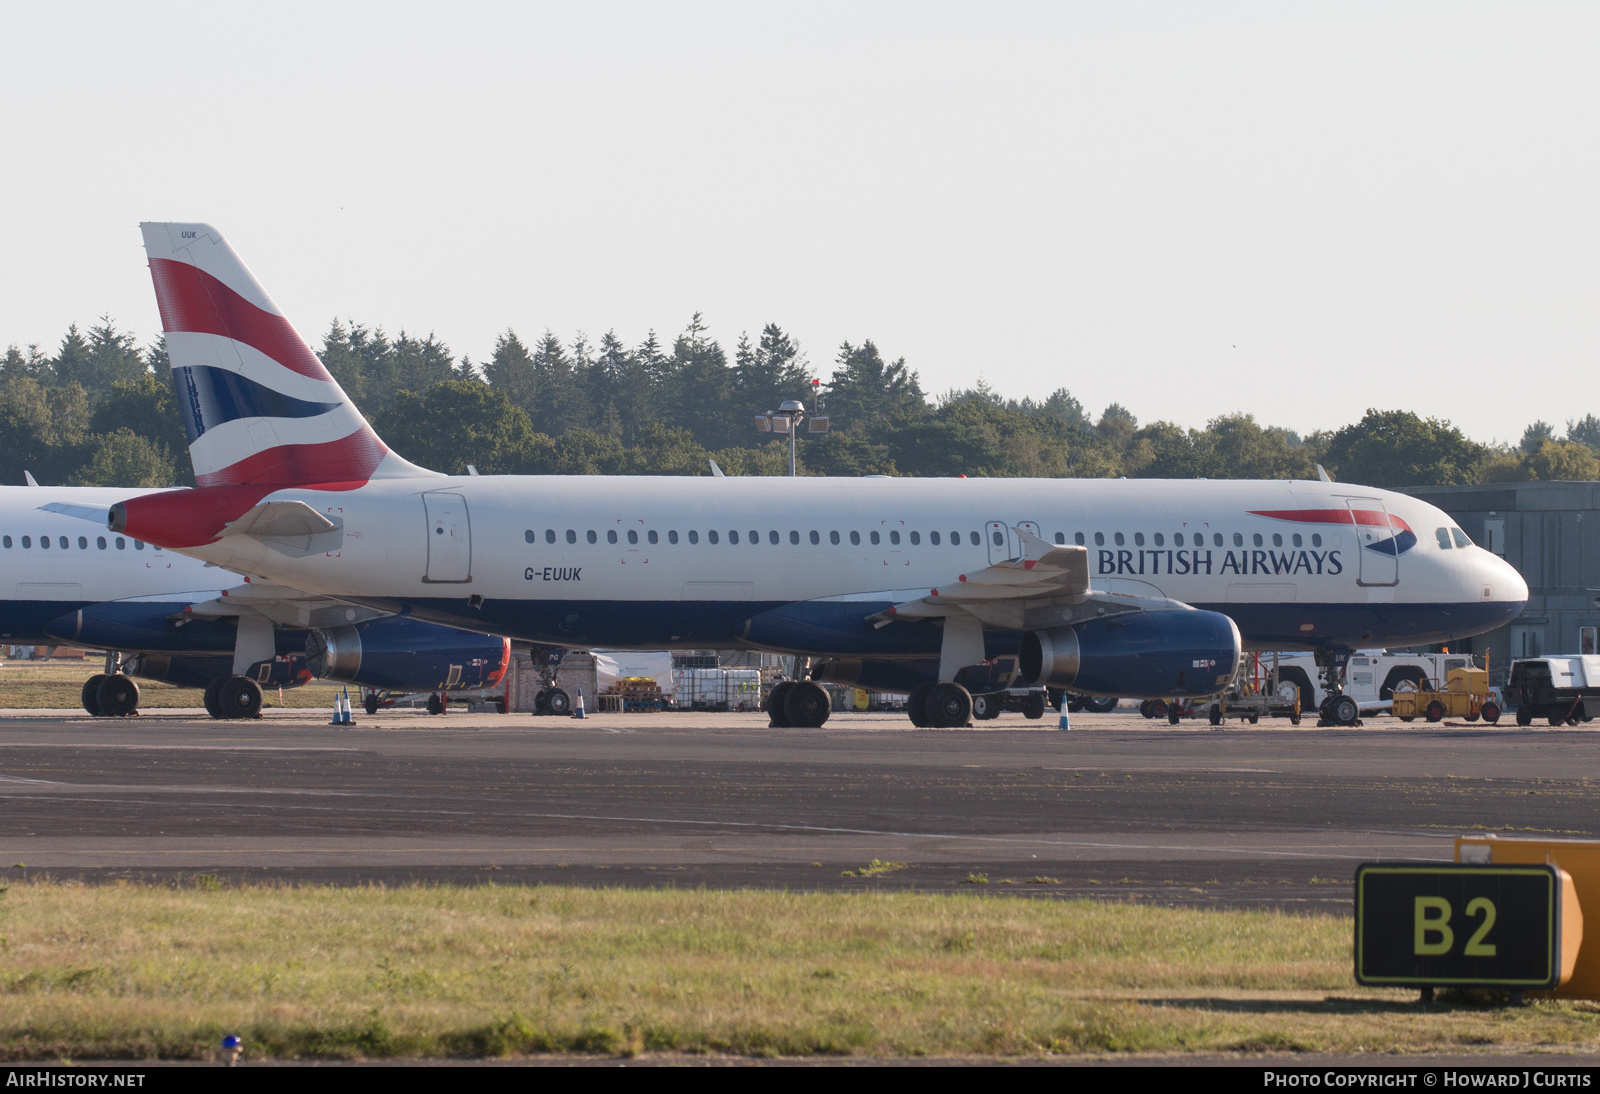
x: 409, y: 655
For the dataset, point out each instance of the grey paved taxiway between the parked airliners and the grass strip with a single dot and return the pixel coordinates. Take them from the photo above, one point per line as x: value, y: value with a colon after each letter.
x: 1119, y: 809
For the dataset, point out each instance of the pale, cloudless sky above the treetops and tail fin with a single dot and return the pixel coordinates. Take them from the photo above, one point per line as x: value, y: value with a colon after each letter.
x: 1190, y: 209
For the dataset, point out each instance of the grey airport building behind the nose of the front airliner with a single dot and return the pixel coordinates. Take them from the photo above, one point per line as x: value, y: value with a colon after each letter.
x: 1551, y: 533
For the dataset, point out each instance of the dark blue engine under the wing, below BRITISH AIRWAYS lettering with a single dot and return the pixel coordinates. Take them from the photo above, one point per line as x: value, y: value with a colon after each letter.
x: 1143, y: 655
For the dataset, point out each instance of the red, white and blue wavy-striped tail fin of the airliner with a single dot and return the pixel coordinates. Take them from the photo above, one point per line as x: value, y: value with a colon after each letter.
x: 258, y: 405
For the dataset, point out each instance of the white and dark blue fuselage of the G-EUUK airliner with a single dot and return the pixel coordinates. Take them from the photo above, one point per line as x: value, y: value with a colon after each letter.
x: 647, y: 562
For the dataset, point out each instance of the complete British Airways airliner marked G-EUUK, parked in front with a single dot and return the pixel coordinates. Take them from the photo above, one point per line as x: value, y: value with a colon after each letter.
x: 943, y: 588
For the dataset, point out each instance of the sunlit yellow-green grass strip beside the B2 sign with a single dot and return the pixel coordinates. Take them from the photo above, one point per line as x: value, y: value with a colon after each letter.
x: 164, y: 972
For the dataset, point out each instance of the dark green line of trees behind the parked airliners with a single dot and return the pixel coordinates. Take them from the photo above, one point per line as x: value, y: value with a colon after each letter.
x: 100, y: 412
